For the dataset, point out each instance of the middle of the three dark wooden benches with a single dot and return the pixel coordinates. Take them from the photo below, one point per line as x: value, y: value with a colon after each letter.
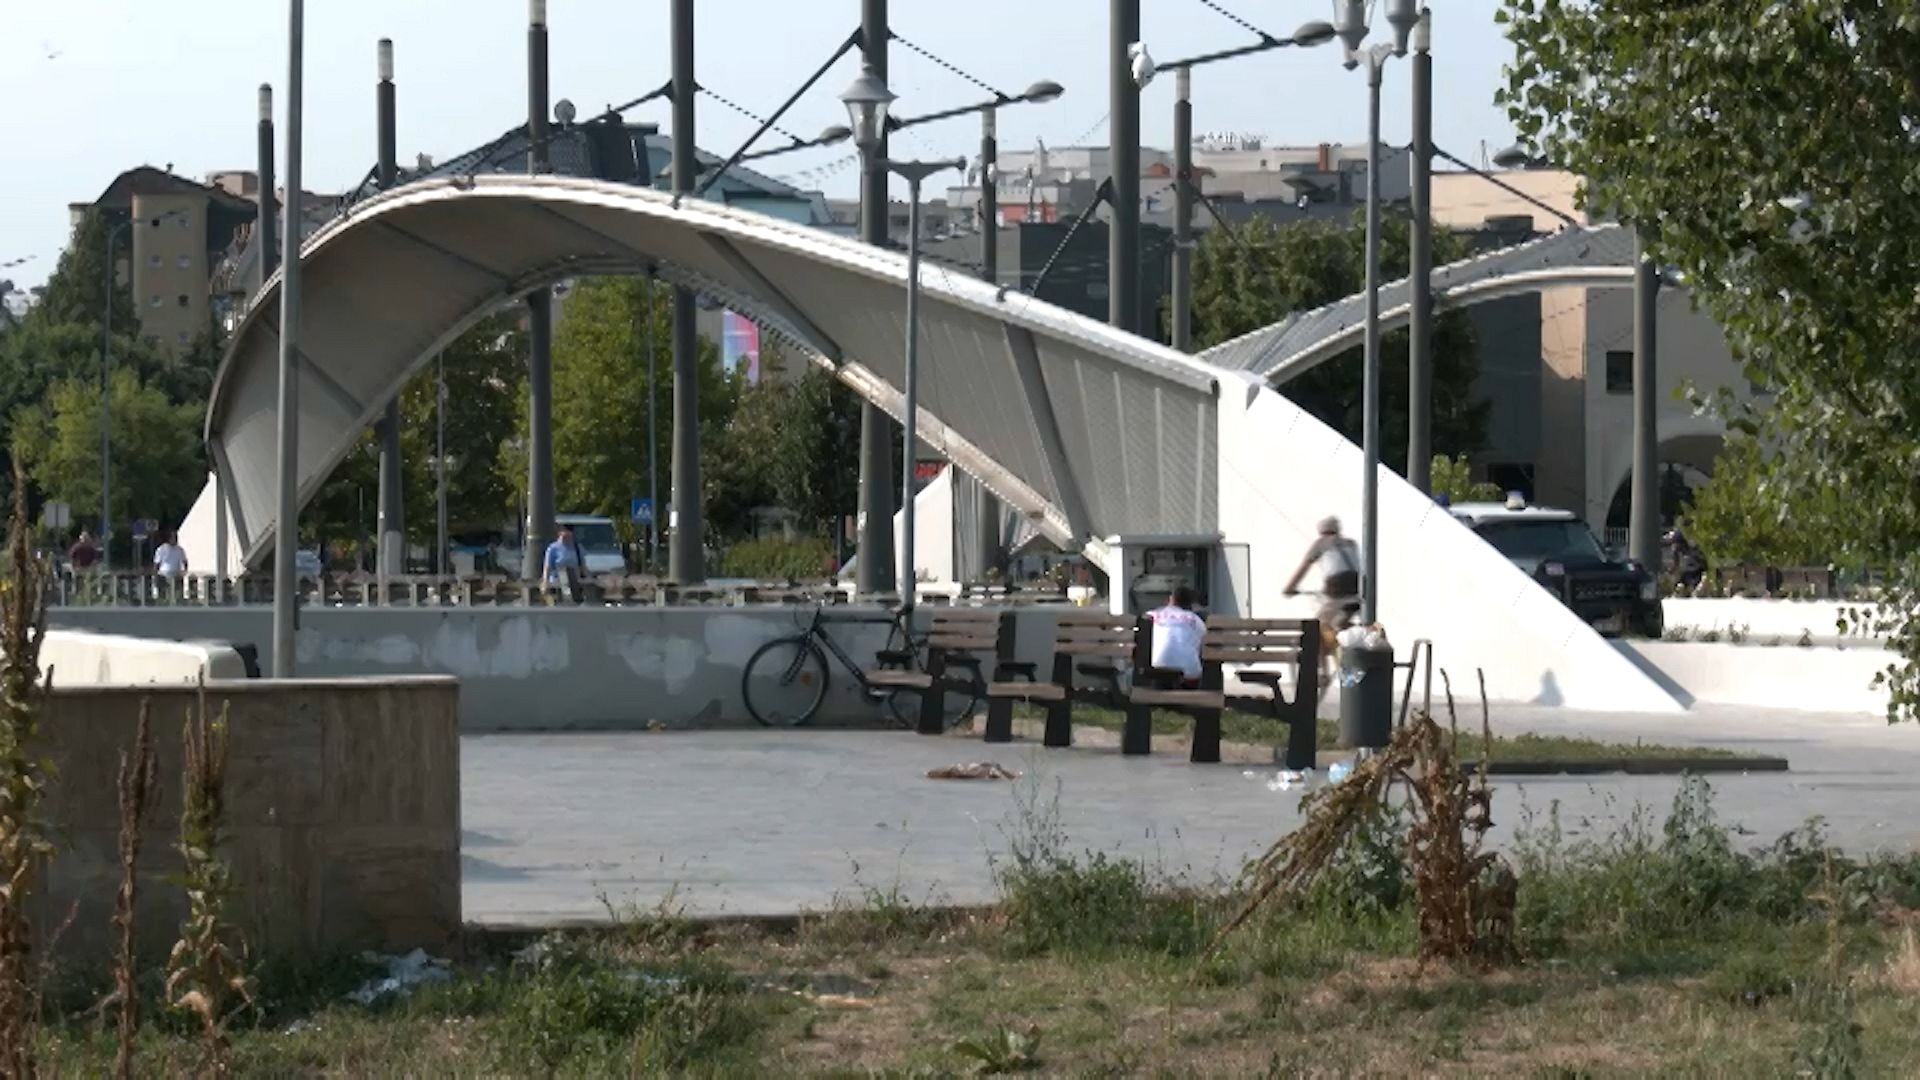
x: 1093, y: 645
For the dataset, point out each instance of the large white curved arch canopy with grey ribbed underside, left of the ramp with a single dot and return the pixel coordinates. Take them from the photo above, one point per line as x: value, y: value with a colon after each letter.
x: 1082, y: 428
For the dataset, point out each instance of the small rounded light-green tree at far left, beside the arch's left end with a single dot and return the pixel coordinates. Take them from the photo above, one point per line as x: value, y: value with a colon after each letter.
x: 158, y: 466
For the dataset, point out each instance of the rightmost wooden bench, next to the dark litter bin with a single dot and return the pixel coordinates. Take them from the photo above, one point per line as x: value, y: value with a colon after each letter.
x: 1237, y: 643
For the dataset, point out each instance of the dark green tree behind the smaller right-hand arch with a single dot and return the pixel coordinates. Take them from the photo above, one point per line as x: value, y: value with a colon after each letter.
x: 1282, y: 270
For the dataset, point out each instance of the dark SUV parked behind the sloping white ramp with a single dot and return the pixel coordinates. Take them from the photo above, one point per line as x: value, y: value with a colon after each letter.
x: 1558, y: 551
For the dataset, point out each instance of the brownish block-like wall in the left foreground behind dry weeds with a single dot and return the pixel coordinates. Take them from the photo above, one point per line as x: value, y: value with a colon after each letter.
x: 343, y: 810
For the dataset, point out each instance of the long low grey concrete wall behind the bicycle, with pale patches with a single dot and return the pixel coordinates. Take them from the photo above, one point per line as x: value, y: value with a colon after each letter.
x: 550, y: 670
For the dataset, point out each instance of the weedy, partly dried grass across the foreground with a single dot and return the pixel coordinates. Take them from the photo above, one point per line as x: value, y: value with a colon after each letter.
x: 1662, y: 946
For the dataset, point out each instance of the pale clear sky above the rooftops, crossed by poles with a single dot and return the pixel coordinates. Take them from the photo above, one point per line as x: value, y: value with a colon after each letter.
x: 97, y: 87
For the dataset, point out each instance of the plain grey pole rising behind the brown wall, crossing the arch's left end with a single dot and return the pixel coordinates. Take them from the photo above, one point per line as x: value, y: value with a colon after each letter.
x: 287, y: 522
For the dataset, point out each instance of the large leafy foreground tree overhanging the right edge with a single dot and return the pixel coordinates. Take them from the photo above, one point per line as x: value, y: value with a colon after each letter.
x: 1765, y: 153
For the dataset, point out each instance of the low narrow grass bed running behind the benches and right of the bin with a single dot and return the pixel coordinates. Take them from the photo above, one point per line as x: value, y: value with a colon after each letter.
x: 1550, y: 750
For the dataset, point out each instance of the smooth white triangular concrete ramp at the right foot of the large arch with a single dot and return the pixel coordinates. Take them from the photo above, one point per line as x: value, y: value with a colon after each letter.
x: 1282, y: 472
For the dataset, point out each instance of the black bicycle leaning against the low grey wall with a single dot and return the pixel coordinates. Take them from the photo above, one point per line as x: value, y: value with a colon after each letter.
x: 786, y: 679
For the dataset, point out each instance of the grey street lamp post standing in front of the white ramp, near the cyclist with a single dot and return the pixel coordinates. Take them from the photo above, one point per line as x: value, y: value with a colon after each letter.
x: 1353, y: 30
